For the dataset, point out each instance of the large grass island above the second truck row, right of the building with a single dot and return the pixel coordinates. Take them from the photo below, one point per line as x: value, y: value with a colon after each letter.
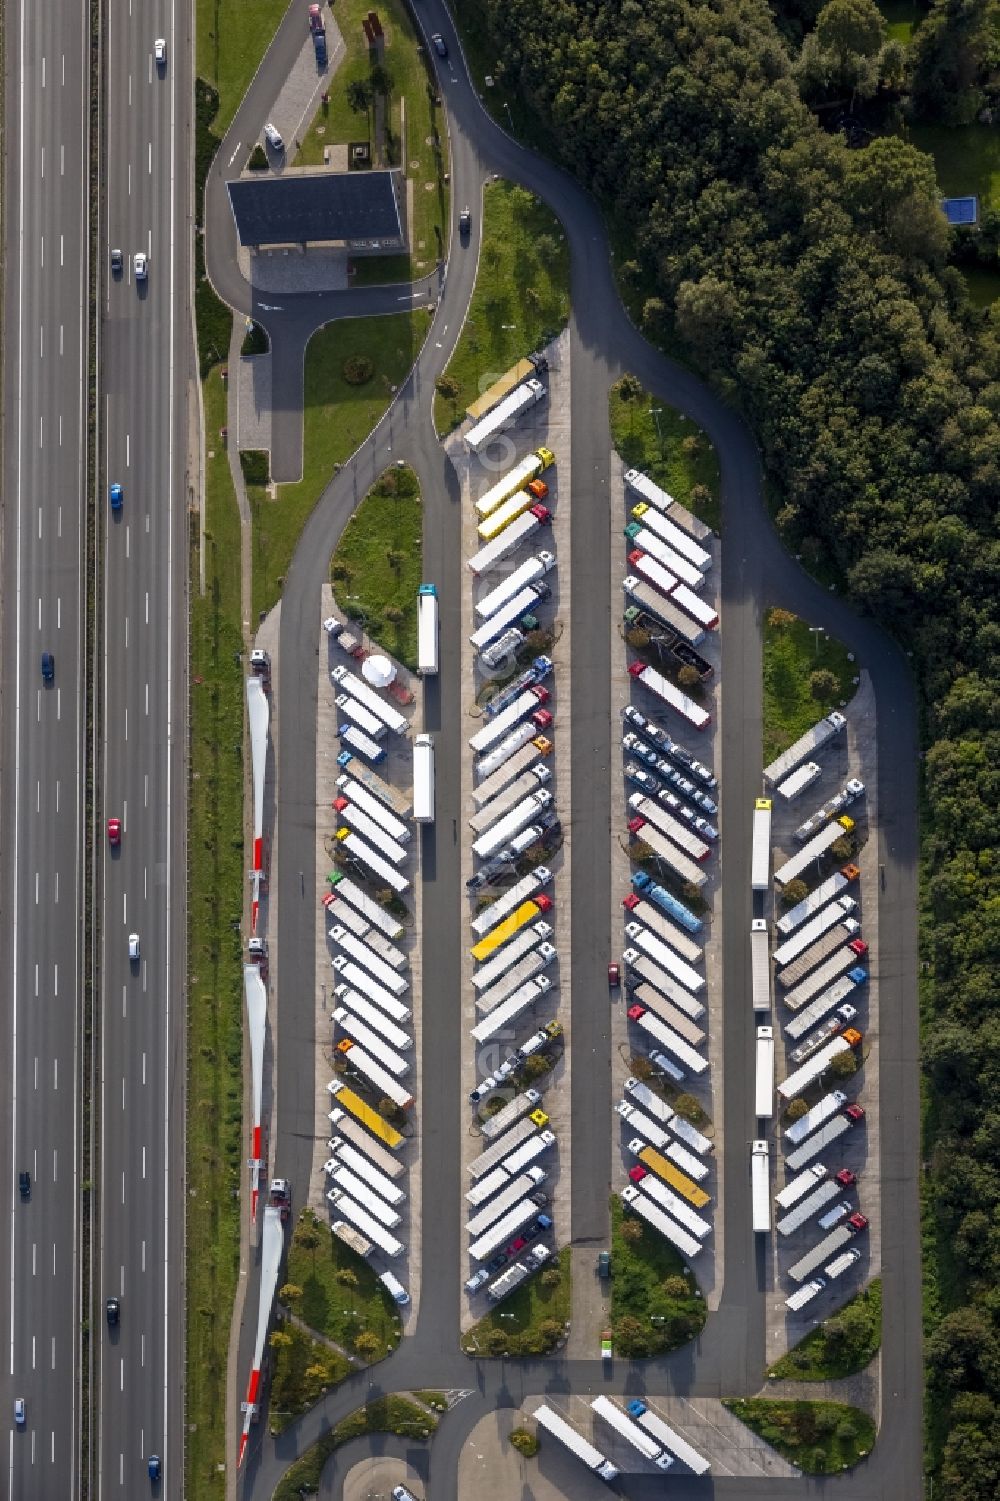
x: 522, y: 298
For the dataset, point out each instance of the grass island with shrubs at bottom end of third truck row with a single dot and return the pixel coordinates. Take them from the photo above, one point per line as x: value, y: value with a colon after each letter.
x: 655, y: 1301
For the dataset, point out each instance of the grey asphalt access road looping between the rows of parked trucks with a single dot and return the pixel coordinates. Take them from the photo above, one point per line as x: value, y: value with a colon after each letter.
x: 756, y: 571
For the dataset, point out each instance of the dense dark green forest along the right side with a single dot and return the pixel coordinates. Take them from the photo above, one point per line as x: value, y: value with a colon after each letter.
x: 815, y: 286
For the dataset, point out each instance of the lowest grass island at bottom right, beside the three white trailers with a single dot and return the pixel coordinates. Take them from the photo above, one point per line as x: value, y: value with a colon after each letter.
x: 822, y: 1439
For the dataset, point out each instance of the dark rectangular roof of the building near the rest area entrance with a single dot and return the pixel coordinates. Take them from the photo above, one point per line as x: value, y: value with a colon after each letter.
x: 316, y: 206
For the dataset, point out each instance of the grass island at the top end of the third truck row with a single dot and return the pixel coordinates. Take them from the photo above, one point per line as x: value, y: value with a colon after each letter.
x: 667, y: 447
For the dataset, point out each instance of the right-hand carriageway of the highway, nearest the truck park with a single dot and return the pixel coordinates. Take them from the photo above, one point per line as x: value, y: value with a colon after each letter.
x: 142, y: 685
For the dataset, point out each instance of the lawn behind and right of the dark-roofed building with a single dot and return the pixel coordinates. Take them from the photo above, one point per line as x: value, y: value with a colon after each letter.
x: 424, y: 155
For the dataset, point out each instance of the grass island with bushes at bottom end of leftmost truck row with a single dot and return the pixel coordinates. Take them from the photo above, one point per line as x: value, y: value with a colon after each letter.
x: 333, y: 1307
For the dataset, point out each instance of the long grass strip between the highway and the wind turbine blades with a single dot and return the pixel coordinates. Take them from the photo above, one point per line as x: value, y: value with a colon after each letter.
x: 215, y: 898
